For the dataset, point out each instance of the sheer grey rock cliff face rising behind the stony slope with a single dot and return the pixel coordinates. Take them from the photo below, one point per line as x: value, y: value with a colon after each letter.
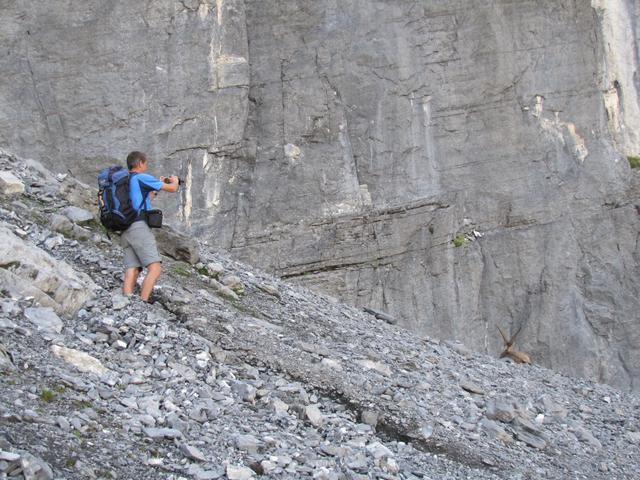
x: 459, y: 165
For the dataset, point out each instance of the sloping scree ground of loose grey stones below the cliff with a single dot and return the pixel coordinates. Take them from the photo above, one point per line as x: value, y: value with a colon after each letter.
x: 235, y: 374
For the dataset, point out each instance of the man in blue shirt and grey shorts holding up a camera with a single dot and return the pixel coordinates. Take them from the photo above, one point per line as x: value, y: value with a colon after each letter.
x: 139, y: 244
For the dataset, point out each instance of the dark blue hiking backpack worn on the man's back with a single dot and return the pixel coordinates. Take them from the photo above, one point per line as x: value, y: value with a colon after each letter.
x: 116, y: 211
